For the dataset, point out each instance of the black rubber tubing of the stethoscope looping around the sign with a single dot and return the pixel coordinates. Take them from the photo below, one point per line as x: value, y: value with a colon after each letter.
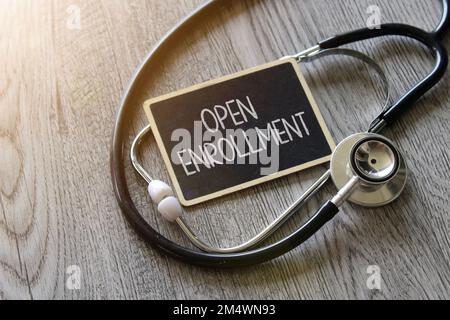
x: 325, y: 214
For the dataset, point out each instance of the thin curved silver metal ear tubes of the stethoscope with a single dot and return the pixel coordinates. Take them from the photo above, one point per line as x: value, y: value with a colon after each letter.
x: 305, y: 56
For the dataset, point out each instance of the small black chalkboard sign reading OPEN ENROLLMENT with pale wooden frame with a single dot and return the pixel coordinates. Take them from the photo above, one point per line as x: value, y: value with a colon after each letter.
x: 238, y: 131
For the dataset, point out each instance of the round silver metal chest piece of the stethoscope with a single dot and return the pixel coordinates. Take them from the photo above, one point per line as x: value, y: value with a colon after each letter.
x: 376, y: 164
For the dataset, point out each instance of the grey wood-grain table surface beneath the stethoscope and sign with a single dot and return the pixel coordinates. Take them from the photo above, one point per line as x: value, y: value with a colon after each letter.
x: 60, y: 86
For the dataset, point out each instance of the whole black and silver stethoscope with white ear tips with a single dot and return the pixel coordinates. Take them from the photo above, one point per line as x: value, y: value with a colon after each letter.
x: 367, y: 168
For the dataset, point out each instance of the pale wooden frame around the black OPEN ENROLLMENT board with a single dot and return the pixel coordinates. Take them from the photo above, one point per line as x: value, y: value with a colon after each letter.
x: 148, y: 110
